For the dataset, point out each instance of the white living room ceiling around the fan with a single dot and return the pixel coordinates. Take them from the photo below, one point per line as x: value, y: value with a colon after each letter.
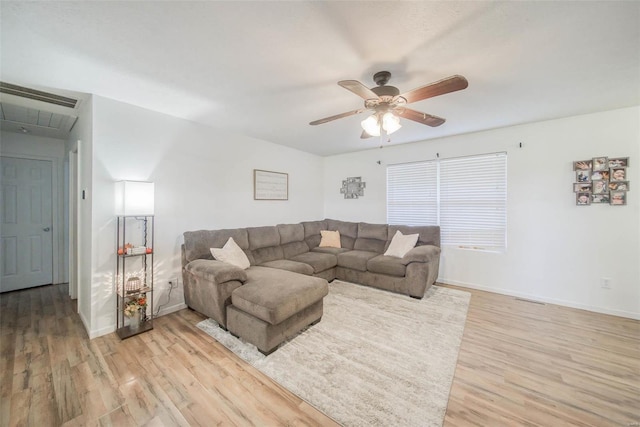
x: 266, y: 69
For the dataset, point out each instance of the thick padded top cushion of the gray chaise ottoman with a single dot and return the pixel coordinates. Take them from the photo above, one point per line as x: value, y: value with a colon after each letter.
x: 275, y: 295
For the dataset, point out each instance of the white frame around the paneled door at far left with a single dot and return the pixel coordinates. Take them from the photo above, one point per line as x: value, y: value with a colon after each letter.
x: 57, y: 215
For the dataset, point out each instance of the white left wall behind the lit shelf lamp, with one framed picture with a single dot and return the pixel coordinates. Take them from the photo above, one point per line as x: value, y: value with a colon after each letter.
x: 203, y: 180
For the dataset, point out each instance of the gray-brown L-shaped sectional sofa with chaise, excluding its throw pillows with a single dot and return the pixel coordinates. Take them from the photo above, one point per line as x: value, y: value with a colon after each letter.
x: 281, y: 292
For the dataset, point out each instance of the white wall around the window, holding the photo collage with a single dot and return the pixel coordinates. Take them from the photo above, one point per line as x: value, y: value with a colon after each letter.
x: 557, y: 251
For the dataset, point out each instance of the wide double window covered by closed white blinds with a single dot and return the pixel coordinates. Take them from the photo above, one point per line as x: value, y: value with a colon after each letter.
x: 466, y: 196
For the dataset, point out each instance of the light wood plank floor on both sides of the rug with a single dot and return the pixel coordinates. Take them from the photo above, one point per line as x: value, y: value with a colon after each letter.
x: 520, y: 364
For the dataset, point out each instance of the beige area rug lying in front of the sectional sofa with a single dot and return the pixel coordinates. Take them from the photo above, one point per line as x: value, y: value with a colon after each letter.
x: 375, y: 359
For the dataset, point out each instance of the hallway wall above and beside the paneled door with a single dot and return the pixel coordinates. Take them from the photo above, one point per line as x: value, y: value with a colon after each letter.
x: 41, y: 148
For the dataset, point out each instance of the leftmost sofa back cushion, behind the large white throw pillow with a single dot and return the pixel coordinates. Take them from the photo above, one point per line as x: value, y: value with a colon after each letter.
x: 198, y: 244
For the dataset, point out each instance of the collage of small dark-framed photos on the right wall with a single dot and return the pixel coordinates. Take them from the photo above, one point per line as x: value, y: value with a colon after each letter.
x: 601, y: 180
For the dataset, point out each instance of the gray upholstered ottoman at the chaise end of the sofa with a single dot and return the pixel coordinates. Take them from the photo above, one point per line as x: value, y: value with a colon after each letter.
x: 274, y: 305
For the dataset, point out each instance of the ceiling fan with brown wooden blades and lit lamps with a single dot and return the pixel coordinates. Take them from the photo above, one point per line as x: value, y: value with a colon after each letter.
x: 388, y: 105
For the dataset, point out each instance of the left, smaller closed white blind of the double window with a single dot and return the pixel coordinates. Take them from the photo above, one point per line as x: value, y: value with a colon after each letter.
x: 412, y: 193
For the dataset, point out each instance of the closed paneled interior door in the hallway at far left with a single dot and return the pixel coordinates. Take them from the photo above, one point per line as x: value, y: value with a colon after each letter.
x: 27, y: 243
